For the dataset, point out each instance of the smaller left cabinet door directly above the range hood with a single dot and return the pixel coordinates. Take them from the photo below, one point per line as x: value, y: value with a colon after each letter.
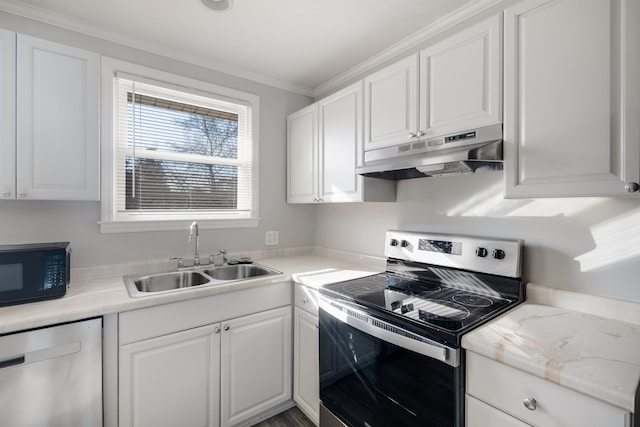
x: 391, y: 105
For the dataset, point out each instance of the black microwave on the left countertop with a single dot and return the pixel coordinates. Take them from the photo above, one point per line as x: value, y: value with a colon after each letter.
x: 33, y: 272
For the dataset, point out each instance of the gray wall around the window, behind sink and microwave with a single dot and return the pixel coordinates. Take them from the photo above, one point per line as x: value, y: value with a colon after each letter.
x: 40, y: 221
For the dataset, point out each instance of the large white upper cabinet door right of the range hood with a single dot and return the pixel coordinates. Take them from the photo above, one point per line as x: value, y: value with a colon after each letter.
x: 571, y: 97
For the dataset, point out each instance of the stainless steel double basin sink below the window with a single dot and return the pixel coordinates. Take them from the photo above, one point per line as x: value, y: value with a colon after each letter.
x: 205, y: 276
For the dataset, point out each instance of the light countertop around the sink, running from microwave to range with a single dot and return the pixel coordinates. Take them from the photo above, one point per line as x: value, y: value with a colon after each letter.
x: 99, y: 291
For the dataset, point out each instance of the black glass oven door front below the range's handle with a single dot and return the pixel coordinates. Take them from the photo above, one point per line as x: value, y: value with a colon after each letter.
x: 367, y: 381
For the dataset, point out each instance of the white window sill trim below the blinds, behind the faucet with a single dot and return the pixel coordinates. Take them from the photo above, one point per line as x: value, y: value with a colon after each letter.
x: 171, y: 225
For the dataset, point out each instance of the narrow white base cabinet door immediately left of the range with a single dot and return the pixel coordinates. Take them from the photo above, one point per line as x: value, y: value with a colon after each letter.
x: 306, y: 385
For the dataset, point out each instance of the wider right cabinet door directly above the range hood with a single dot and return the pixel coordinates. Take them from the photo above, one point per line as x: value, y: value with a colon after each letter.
x: 461, y: 80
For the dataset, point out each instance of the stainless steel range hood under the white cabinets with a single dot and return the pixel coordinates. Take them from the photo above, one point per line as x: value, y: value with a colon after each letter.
x: 469, y: 151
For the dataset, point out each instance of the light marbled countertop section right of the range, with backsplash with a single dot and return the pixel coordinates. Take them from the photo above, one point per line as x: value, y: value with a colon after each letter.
x: 586, y: 343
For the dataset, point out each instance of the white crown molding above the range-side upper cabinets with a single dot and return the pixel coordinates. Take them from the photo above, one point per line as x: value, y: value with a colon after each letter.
x: 465, y: 12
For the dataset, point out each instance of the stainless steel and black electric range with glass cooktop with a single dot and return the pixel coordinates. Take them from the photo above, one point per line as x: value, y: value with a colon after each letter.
x: 390, y: 351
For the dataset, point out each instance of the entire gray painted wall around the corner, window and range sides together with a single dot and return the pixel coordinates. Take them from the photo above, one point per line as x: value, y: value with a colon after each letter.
x: 590, y: 245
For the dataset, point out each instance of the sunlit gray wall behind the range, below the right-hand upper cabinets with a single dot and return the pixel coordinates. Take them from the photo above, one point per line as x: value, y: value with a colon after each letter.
x: 589, y: 245
